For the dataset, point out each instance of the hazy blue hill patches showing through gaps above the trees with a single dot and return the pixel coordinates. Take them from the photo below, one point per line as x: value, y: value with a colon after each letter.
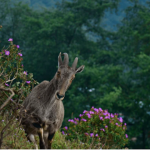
x: 110, y: 20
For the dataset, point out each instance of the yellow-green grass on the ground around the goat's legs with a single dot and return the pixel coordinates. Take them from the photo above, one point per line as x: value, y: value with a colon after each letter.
x: 16, y: 138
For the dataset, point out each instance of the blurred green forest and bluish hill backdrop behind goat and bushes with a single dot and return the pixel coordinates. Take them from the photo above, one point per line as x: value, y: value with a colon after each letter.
x: 110, y: 37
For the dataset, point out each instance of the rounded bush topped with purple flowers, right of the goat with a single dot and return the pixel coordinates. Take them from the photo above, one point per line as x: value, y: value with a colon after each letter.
x: 99, y: 128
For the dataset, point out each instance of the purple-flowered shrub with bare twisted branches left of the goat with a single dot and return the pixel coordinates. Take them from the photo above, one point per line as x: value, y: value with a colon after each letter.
x: 15, y: 85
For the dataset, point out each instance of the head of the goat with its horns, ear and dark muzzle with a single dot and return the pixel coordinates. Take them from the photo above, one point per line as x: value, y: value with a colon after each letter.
x: 65, y: 75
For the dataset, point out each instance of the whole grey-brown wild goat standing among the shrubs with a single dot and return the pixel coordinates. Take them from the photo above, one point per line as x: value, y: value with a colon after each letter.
x: 43, y: 111
